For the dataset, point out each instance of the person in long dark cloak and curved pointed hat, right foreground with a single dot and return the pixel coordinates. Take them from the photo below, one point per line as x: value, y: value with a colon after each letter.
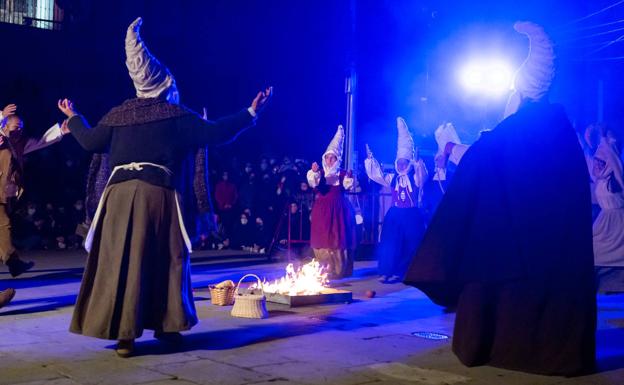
x: 510, y: 245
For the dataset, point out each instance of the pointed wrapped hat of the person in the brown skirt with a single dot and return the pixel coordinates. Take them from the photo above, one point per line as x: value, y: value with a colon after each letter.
x: 150, y: 77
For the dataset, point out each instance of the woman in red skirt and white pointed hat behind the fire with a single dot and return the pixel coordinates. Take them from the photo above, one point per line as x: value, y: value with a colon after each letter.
x: 333, y: 221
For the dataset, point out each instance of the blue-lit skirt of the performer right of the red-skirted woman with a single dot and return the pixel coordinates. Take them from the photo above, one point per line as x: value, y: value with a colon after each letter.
x: 403, y: 229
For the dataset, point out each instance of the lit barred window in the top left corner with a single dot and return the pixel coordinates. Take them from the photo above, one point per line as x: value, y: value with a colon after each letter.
x: 42, y: 14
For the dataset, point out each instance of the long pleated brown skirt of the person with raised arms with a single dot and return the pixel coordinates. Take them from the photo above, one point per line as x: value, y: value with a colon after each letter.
x: 138, y: 271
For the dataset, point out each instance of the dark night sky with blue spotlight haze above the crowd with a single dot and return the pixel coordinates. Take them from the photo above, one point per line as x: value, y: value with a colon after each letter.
x: 221, y: 52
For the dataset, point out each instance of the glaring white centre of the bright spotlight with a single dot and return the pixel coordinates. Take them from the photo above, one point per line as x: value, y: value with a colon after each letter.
x: 486, y: 77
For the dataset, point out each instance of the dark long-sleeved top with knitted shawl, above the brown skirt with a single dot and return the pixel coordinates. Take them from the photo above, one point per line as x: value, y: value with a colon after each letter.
x: 155, y: 131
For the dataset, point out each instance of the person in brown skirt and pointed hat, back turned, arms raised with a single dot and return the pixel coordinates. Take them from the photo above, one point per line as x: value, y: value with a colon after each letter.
x: 138, y: 270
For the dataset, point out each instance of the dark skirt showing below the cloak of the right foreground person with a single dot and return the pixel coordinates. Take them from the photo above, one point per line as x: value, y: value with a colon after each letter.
x: 527, y: 325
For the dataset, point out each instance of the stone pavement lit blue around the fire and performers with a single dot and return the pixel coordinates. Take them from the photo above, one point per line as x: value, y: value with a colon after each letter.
x: 368, y: 341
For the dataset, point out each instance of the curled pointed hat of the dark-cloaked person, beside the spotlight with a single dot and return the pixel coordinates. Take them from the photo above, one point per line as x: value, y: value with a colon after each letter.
x: 533, y: 79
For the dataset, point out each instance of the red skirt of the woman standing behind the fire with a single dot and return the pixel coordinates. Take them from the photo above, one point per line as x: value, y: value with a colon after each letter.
x: 333, y: 221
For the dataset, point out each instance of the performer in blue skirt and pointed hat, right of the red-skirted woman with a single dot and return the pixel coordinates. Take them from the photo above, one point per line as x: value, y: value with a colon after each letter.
x: 404, y: 223
